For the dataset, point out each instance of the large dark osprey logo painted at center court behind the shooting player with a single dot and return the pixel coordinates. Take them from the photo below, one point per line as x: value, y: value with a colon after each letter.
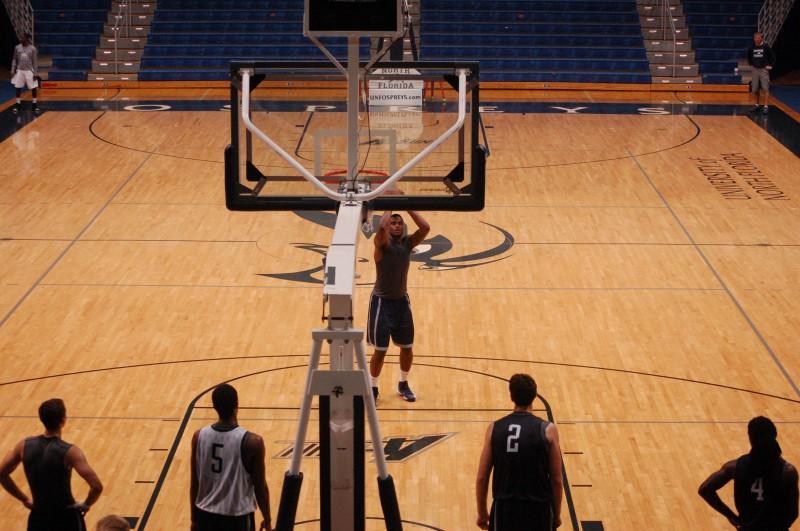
x: 430, y: 254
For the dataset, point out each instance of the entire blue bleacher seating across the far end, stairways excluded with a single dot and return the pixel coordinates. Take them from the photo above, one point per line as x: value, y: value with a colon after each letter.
x: 581, y: 41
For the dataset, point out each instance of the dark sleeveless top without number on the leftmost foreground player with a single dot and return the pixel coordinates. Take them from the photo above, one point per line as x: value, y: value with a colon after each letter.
x: 48, y: 476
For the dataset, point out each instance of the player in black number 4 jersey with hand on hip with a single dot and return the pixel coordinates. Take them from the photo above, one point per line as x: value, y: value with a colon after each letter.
x: 764, y: 484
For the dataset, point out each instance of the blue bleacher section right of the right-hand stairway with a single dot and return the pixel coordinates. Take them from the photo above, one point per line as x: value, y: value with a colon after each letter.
x: 722, y: 31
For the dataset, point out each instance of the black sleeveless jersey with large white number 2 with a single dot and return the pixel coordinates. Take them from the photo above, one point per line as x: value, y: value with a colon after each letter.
x: 520, y: 454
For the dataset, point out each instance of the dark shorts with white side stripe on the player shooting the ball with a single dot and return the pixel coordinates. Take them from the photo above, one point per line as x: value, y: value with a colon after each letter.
x: 390, y: 319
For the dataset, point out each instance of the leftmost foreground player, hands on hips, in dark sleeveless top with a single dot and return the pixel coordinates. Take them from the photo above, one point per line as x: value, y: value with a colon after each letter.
x: 48, y: 462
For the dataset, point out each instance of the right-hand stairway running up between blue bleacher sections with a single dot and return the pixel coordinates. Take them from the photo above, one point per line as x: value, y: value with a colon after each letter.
x: 668, y: 43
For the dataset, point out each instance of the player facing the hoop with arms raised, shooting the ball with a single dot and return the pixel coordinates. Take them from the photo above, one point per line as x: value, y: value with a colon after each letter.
x: 390, y: 308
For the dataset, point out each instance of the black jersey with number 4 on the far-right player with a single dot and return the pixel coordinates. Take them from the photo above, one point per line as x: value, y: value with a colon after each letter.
x: 760, y: 496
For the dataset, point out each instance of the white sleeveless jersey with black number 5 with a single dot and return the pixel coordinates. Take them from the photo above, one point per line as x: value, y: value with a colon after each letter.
x: 224, y: 486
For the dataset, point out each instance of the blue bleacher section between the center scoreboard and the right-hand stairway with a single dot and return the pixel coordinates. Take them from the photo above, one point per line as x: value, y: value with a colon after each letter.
x: 594, y: 41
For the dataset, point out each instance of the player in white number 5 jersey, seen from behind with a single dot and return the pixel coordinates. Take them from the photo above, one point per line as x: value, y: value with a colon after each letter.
x: 228, y: 471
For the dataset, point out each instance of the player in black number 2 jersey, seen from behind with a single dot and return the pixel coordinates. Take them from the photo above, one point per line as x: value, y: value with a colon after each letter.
x: 527, y: 484
